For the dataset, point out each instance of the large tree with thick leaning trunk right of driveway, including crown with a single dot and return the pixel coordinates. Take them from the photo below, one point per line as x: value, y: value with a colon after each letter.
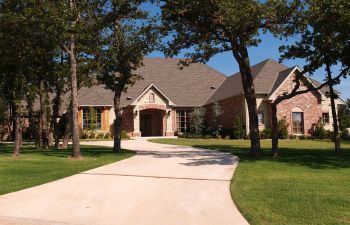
x: 211, y: 27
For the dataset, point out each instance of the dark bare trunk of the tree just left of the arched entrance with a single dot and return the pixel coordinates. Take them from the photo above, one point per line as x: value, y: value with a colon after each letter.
x: 117, y: 123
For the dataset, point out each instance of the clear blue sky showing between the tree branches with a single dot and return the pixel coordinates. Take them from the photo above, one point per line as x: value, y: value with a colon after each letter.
x: 226, y: 64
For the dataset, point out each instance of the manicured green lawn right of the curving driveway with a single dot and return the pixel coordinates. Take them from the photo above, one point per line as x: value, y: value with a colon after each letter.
x: 307, y: 184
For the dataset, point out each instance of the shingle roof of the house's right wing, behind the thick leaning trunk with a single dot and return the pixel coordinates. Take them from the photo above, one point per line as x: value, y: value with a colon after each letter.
x: 265, y: 75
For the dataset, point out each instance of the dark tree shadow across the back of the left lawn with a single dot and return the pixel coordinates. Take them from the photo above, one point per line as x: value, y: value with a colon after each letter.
x: 88, y: 151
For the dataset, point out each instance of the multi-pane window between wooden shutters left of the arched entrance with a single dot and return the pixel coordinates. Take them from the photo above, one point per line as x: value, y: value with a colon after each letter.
x: 91, y: 118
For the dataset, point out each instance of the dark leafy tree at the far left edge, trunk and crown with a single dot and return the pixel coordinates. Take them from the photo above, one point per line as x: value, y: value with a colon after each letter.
x: 22, y: 57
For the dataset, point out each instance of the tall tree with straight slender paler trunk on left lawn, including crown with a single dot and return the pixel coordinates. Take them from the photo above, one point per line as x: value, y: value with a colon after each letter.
x: 74, y: 25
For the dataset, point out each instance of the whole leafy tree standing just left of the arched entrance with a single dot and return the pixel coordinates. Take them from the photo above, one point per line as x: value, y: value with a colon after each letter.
x: 129, y: 35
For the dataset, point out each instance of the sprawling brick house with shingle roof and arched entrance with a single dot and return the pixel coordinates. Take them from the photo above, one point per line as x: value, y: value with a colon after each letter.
x: 159, y: 105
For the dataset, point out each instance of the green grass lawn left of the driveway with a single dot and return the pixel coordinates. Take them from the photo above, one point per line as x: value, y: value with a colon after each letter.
x: 37, y: 166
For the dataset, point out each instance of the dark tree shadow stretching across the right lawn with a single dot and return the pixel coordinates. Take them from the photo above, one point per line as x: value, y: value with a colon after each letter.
x: 313, y: 158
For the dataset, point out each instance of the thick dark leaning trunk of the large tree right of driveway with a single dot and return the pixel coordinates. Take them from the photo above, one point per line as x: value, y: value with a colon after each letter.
x: 241, y: 55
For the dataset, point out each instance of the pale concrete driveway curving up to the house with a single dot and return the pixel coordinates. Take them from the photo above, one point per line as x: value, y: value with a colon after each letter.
x: 161, y: 185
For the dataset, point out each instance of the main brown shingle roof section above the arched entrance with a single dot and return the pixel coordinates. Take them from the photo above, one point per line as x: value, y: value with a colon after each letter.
x: 190, y: 86
